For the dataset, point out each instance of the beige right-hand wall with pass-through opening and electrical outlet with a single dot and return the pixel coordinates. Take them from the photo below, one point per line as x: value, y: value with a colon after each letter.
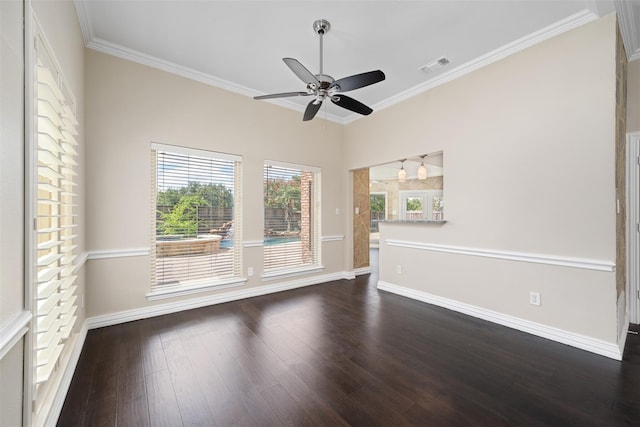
x: 529, y: 143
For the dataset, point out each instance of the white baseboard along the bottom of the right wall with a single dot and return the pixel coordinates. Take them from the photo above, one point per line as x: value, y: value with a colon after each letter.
x: 594, y: 345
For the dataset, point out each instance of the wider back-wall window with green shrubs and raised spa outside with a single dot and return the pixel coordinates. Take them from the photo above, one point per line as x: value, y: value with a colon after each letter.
x: 196, y: 224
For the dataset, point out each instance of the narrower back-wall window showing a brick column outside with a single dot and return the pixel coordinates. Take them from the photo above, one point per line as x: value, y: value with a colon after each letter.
x: 291, y: 218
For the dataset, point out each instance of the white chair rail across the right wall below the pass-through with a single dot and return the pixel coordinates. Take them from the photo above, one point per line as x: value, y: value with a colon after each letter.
x: 584, y: 263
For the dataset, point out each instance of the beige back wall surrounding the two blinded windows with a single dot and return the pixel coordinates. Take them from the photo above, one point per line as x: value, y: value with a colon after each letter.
x: 131, y: 105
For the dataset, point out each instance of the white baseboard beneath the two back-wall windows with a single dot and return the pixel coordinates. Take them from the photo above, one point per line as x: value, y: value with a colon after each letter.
x: 176, y: 306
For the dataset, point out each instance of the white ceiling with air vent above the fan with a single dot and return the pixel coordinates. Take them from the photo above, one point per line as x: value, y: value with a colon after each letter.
x: 239, y: 45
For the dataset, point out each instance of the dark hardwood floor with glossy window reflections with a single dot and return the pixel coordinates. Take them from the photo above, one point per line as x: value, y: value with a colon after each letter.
x: 338, y: 354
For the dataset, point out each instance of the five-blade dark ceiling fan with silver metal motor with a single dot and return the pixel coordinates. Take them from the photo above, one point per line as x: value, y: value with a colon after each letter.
x: 322, y: 86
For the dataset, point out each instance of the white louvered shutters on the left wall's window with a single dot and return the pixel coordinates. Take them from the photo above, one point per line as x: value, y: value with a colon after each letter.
x: 55, y: 224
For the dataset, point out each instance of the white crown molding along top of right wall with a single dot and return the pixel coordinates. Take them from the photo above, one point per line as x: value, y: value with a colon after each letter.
x: 550, y: 31
